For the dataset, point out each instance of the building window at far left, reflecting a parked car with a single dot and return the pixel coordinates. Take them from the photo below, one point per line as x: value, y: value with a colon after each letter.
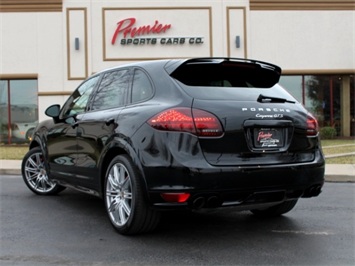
x: 19, y: 110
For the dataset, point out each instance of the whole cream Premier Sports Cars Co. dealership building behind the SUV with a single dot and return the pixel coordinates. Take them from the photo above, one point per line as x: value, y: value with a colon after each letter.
x: 48, y: 47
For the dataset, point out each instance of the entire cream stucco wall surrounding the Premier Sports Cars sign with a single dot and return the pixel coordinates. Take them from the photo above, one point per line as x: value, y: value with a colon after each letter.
x: 38, y: 42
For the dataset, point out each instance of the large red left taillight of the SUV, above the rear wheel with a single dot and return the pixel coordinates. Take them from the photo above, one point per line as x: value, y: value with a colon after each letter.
x: 195, y: 121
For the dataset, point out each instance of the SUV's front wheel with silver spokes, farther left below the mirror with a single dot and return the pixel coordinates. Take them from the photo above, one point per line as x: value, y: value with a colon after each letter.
x: 35, y: 175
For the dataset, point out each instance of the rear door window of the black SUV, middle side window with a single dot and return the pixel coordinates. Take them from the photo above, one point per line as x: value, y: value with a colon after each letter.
x: 112, y: 90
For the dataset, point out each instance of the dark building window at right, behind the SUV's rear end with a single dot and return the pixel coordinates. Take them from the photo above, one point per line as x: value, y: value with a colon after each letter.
x: 321, y: 95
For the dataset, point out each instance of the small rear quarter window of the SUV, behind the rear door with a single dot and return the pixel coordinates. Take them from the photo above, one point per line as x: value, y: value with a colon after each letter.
x: 142, y: 88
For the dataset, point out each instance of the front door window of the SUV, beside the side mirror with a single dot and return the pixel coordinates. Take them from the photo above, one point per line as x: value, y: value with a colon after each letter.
x: 77, y: 102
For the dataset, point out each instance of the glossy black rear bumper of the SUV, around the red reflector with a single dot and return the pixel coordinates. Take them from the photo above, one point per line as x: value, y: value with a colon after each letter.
x: 243, y: 187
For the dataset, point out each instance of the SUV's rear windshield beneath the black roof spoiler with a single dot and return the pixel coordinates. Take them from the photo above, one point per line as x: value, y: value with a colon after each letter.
x: 229, y: 80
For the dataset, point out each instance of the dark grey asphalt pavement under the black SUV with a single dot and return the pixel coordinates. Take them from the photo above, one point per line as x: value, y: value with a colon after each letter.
x: 73, y: 229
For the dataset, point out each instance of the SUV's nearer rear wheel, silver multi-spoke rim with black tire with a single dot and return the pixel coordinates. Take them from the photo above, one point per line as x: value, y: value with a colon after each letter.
x: 125, y: 203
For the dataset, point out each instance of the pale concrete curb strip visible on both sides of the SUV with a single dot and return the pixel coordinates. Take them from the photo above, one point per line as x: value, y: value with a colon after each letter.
x: 333, y: 172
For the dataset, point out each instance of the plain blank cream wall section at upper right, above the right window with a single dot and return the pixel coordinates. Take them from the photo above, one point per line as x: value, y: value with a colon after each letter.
x: 316, y: 40
